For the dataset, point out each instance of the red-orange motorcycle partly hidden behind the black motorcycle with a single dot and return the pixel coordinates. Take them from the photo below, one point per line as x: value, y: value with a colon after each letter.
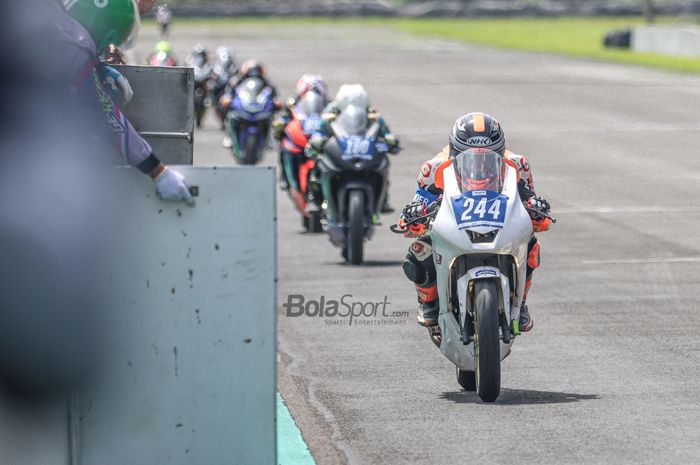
x: 297, y: 167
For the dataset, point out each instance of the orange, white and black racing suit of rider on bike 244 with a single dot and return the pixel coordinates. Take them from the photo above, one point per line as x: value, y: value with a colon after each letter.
x: 419, y: 266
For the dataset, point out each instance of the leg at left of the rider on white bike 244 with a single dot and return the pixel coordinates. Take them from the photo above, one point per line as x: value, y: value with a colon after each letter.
x: 419, y: 267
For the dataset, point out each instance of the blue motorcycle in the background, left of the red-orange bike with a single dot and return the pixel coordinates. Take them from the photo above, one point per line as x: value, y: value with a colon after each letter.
x: 249, y: 118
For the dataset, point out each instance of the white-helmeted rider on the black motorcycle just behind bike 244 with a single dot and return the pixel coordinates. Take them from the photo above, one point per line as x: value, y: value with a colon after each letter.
x: 354, y: 96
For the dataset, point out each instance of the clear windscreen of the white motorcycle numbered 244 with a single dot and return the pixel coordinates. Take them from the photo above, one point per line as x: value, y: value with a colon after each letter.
x: 479, y: 170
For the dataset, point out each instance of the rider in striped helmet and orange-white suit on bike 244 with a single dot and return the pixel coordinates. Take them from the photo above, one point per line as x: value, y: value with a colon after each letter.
x: 471, y: 131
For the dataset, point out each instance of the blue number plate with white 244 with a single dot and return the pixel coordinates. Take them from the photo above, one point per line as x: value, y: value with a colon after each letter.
x: 475, y: 209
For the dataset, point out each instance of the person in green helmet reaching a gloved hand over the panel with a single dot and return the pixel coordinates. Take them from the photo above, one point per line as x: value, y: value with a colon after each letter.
x: 86, y: 29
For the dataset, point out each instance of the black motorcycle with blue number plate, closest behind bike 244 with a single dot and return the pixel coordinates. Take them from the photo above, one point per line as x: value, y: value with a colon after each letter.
x: 352, y: 174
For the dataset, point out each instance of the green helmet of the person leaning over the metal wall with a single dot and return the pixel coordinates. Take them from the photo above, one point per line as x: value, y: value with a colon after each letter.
x: 108, y: 21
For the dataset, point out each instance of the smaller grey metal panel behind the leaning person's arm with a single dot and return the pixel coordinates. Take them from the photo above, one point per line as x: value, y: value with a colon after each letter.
x: 163, y: 103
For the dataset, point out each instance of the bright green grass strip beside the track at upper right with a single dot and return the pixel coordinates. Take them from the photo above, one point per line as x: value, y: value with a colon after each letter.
x: 580, y: 37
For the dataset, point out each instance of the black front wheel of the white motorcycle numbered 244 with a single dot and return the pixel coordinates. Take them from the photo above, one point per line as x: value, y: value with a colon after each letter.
x: 487, y: 345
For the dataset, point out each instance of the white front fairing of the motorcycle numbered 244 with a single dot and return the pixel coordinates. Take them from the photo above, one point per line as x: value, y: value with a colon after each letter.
x: 450, y: 243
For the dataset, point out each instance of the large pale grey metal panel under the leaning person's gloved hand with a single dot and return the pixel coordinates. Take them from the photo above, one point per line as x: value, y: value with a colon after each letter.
x: 192, y: 377
